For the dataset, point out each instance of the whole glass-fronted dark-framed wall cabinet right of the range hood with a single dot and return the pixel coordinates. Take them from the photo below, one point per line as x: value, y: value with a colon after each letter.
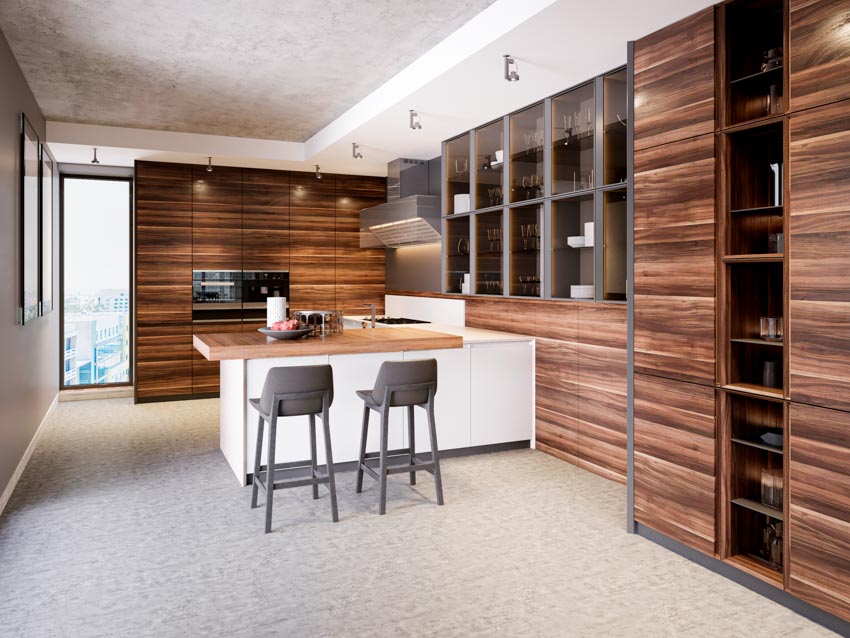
x: 549, y: 199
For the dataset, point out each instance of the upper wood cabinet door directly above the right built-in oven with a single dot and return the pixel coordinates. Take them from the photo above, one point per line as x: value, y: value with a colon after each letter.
x: 265, y: 220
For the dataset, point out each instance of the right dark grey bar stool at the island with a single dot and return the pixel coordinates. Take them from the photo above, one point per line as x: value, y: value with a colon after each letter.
x: 400, y: 383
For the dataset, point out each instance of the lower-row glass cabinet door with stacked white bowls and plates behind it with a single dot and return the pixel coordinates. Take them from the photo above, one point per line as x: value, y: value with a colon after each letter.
x: 573, y: 247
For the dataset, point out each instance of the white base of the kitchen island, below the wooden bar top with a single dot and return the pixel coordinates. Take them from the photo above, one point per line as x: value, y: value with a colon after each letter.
x: 485, y: 396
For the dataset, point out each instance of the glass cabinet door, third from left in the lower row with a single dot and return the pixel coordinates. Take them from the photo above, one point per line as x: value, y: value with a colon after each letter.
x: 526, y: 242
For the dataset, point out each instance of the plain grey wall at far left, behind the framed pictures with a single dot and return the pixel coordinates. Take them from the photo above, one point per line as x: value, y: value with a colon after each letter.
x: 29, y: 355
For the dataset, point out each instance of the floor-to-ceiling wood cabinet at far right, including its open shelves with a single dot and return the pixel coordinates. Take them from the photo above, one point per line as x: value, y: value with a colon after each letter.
x: 742, y: 304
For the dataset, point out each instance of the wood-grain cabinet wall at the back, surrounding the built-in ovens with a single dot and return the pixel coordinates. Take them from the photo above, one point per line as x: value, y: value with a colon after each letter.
x: 188, y: 218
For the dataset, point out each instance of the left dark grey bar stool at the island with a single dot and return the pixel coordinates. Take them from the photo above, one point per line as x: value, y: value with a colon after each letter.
x: 294, y: 391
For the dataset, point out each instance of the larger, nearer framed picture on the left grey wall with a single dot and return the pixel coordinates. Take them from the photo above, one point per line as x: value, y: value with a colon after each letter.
x: 30, y: 214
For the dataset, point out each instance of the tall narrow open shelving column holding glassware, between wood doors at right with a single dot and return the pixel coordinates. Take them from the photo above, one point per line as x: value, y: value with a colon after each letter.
x: 753, y: 276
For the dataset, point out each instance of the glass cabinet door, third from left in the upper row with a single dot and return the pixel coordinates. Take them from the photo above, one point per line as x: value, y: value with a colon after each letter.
x: 527, y: 153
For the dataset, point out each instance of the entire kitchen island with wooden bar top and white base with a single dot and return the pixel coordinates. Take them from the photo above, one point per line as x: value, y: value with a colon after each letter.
x: 484, y: 395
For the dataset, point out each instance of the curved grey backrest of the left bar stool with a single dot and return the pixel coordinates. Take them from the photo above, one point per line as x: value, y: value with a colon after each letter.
x: 297, y: 380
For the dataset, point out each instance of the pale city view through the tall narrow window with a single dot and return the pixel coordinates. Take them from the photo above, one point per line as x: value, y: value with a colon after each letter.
x: 96, y: 278
